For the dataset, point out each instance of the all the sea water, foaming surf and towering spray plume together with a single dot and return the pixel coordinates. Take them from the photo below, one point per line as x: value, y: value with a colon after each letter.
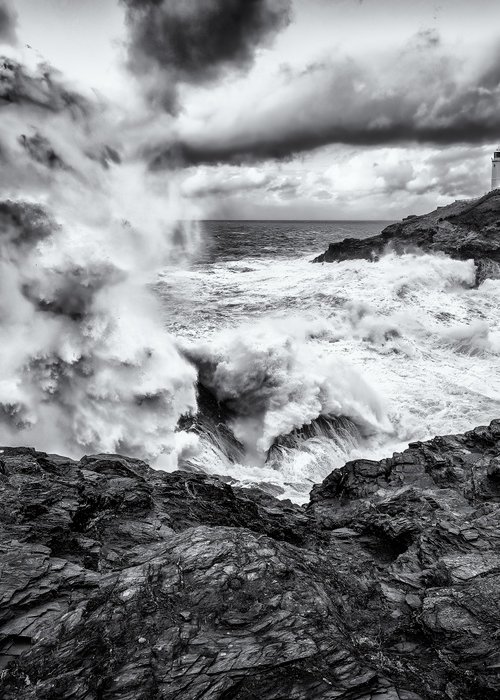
x: 118, y: 310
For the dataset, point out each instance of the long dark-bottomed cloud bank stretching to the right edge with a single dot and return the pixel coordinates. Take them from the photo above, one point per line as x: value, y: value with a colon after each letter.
x: 417, y: 98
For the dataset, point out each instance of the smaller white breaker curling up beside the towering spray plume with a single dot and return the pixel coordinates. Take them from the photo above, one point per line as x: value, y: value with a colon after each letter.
x: 274, y: 381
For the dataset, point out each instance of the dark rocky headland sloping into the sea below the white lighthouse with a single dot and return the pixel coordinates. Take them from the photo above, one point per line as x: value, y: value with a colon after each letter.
x: 463, y: 230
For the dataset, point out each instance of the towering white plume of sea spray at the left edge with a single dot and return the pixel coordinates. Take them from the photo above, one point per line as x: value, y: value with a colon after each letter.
x: 85, y: 364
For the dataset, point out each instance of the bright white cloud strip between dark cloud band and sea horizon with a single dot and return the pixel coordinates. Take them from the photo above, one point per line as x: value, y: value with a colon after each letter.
x: 342, y: 182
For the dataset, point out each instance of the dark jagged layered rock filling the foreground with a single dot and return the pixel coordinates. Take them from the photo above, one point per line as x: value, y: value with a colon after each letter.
x: 118, y: 581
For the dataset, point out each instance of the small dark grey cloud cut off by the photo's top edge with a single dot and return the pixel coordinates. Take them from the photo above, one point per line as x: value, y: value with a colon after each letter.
x: 195, y: 41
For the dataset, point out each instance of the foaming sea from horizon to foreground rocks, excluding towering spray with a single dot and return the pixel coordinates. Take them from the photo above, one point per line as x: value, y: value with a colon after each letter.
x: 323, y: 363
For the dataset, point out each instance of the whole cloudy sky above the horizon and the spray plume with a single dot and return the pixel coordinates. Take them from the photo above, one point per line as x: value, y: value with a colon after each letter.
x: 340, y: 109
